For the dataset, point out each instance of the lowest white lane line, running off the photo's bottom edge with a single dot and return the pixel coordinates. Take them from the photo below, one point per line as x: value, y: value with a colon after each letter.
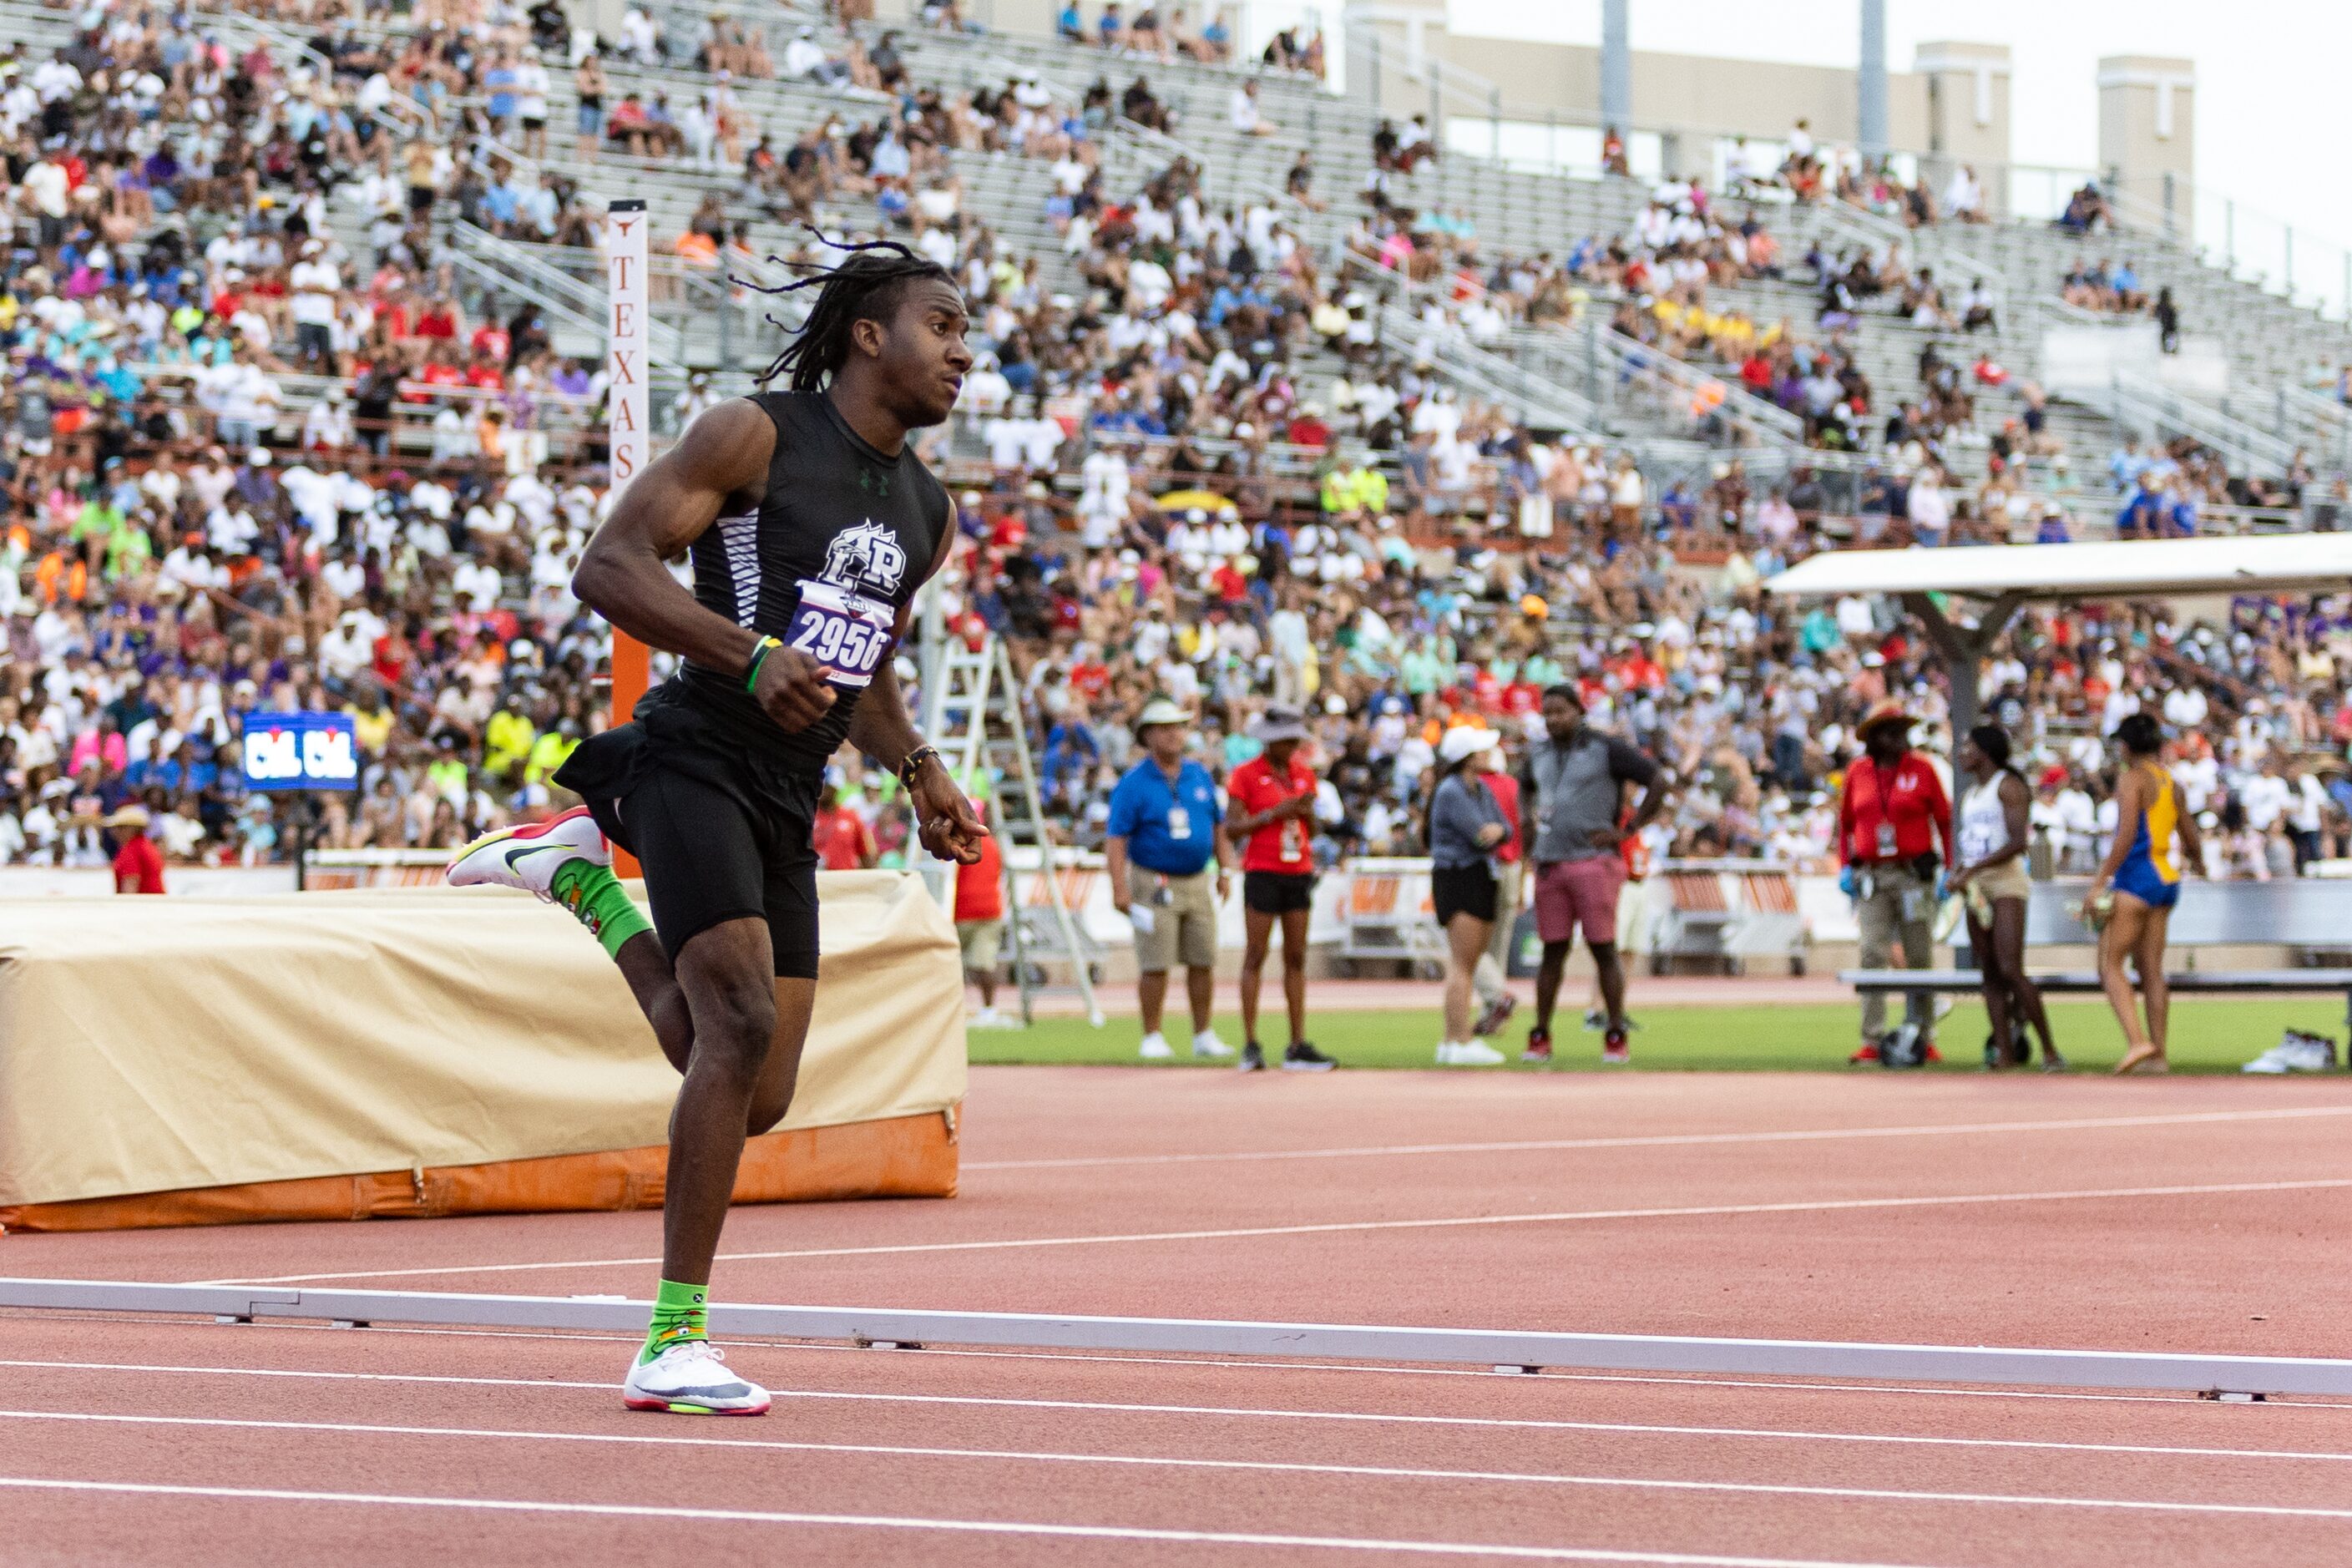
x: 965, y: 1527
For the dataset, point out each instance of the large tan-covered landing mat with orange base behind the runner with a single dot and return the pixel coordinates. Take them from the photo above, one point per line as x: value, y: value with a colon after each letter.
x: 159, y: 1045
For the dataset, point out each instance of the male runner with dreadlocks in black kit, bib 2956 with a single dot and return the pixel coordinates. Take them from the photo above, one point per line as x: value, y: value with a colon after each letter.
x: 813, y: 525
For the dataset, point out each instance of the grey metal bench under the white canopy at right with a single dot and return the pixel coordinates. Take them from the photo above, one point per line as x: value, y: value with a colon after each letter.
x: 2306, y: 916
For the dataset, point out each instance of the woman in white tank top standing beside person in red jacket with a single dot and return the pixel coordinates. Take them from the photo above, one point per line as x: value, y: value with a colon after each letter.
x: 1993, y: 887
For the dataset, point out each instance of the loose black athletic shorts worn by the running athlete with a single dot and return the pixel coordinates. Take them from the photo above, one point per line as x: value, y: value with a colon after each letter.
x: 721, y: 836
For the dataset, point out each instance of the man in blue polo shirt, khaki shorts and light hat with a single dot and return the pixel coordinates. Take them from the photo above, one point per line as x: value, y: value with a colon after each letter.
x: 1161, y: 852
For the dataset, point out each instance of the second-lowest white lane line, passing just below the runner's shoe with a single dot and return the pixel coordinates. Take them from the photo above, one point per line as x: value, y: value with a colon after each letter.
x: 1288, y: 1468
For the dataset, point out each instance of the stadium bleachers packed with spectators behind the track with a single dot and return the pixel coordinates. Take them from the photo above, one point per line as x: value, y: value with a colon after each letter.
x: 401, y: 511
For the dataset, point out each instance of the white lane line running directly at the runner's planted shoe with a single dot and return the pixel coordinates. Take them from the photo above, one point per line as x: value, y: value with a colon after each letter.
x: 1379, y: 1419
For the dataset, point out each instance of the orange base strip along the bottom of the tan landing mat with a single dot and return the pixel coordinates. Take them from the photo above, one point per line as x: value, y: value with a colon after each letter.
x: 860, y: 1160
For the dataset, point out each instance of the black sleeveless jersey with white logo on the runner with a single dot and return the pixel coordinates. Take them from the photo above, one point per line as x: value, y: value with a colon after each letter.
x: 836, y: 514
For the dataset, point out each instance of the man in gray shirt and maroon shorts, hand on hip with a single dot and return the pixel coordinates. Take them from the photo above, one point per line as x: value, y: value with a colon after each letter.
x: 1572, y: 819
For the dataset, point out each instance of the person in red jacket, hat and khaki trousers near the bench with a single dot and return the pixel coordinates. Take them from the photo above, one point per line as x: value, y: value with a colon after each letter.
x: 1895, y: 838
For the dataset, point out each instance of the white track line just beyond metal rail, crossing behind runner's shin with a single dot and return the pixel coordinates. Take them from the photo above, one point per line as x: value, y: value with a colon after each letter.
x: 1568, y: 1217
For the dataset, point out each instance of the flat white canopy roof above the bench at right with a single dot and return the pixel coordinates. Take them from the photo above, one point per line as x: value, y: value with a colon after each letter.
x: 2097, y: 570
